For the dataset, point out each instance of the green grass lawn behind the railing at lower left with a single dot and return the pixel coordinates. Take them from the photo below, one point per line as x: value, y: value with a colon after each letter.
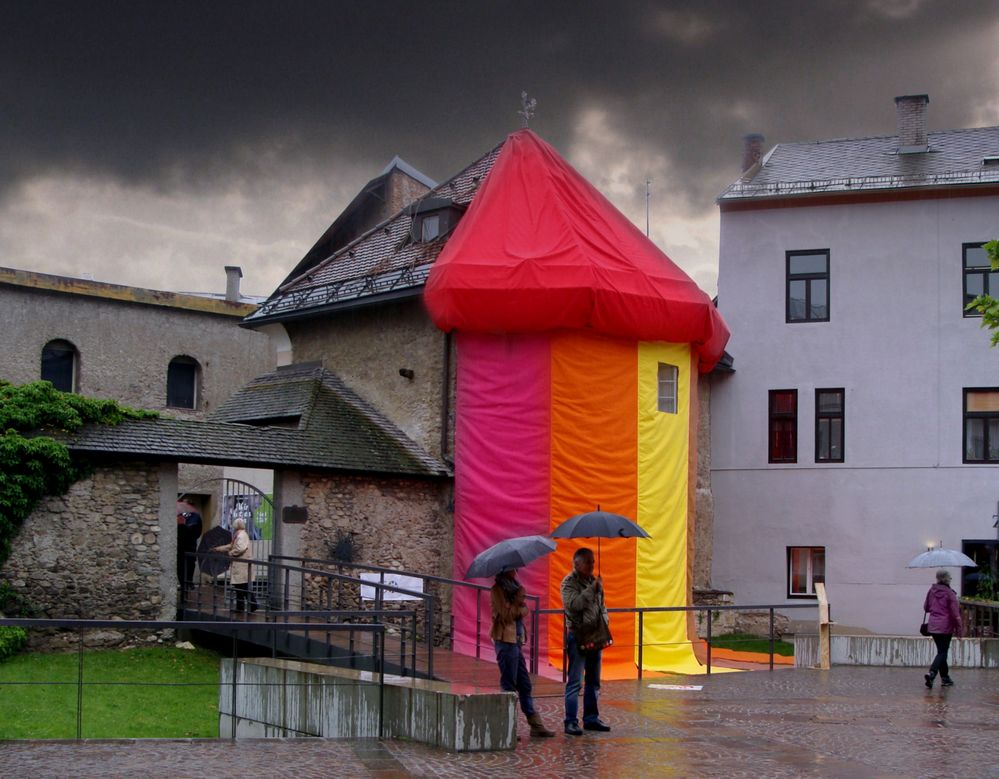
x: 180, y: 699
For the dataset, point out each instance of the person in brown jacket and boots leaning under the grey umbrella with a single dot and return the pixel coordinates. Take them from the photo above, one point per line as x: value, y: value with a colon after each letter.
x: 508, y: 634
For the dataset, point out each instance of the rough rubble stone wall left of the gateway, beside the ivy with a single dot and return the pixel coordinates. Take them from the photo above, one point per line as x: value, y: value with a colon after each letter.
x: 98, y: 552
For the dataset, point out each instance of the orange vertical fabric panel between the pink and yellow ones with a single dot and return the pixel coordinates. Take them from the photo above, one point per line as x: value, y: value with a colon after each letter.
x: 594, y: 441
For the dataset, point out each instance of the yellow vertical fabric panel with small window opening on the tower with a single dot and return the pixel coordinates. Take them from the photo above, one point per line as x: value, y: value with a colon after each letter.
x: 661, y: 562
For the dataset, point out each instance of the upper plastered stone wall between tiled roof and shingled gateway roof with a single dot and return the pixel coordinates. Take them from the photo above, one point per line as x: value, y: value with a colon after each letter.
x: 368, y: 347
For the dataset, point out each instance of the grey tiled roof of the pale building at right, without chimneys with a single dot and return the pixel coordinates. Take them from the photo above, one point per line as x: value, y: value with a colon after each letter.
x: 955, y: 157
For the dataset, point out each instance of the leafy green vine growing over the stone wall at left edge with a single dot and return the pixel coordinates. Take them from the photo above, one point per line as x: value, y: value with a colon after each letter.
x: 34, y: 465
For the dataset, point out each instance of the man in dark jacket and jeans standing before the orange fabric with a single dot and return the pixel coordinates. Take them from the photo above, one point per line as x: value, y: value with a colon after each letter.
x: 585, y: 614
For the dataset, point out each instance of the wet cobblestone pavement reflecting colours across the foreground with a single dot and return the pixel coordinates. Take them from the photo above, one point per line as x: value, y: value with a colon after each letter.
x: 848, y: 722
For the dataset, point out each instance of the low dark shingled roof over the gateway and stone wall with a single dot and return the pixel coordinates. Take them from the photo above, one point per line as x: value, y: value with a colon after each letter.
x: 333, y: 430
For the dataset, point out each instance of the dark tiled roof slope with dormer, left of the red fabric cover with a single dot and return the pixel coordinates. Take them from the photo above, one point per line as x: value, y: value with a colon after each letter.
x: 382, y: 263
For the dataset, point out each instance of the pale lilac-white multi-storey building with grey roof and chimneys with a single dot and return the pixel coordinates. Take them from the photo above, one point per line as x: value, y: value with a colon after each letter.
x: 861, y: 423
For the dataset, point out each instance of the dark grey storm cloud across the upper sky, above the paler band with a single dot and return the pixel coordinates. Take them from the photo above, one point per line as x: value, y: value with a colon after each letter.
x: 176, y: 93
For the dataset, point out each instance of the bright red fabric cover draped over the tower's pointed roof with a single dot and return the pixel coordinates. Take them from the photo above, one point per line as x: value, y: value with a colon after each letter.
x: 540, y: 248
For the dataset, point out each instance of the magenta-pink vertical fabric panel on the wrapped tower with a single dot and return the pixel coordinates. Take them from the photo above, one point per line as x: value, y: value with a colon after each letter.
x: 501, y: 464
